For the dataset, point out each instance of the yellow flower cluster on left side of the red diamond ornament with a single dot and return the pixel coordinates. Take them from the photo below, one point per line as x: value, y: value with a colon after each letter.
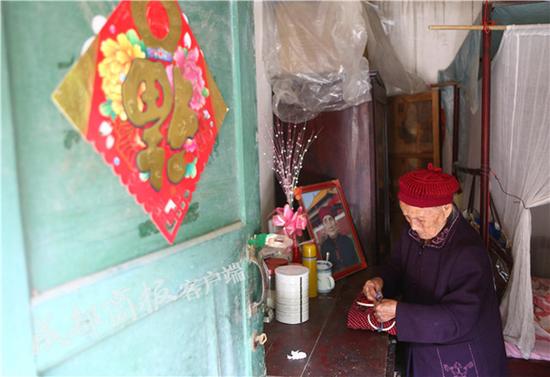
x: 118, y: 56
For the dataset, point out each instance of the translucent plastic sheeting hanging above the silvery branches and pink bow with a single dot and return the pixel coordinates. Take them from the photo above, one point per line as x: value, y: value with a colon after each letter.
x: 313, y: 53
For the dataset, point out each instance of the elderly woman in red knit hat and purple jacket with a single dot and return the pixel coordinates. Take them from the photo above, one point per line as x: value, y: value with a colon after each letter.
x: 448, y: 313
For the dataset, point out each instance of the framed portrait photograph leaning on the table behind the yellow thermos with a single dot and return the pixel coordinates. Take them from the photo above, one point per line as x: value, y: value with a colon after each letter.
x: 331, y: 226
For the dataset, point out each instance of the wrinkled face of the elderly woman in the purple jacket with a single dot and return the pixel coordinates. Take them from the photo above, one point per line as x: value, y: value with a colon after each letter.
x: 427, y: 222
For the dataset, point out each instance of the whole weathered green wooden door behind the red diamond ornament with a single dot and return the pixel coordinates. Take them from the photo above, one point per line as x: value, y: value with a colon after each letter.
x: 89, y: 287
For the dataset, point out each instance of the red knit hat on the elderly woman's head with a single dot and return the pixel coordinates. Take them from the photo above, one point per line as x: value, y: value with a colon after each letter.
x: 427, y: 187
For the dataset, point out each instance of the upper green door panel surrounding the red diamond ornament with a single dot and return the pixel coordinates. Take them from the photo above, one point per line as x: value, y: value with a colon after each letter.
x: 80, y: 218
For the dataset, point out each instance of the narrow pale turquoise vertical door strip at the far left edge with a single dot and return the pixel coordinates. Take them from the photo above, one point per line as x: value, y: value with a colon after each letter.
x: 17, y: 360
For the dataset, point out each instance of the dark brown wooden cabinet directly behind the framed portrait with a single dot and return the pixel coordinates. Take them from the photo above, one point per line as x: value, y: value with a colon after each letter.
x: 352, y: 147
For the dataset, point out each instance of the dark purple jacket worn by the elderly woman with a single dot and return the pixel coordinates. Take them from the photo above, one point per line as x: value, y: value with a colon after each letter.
x: 448, y: 313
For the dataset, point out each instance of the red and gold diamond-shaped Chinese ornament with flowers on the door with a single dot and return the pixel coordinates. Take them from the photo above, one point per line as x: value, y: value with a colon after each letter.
x: 142, y: 95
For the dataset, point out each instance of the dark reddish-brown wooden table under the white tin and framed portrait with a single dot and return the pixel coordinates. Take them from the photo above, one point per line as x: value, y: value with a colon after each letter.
x: 332, y: 349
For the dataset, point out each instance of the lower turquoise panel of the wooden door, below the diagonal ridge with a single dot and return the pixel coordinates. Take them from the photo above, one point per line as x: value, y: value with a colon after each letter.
x: 149, y: 305
